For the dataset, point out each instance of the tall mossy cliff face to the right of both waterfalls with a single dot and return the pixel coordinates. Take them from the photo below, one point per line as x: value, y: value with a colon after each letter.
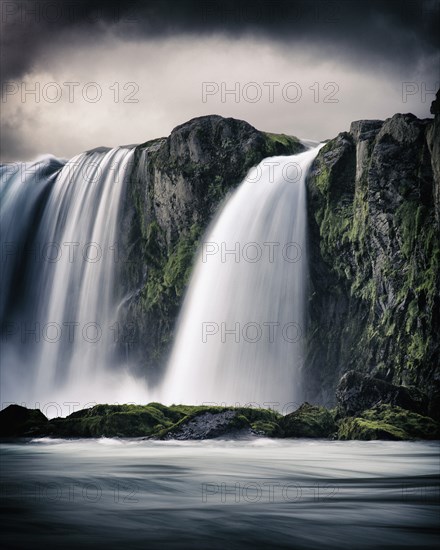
x: 375, y: 254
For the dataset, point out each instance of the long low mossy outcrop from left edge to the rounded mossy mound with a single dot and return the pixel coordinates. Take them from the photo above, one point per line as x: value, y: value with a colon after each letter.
x: 151, y: 421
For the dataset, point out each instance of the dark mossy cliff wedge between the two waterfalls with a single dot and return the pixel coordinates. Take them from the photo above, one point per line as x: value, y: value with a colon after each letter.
x: 176, y: 187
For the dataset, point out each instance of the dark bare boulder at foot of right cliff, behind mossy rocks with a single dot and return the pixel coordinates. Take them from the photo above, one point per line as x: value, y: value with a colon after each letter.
x: 357, y: 392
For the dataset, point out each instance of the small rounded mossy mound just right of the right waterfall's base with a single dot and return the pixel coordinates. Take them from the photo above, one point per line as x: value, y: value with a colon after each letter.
x: 308, y: 421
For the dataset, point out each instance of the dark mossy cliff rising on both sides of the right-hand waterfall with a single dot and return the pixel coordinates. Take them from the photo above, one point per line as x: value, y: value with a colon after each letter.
x: 373, y: 200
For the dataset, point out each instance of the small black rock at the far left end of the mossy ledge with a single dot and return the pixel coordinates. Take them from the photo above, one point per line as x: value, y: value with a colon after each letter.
x: 17, y: 421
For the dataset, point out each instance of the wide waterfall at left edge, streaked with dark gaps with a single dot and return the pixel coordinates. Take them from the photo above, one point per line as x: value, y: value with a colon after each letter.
x: 59, y: 232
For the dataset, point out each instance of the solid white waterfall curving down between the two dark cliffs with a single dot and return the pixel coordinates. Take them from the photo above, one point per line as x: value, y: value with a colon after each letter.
x: 241, y: 332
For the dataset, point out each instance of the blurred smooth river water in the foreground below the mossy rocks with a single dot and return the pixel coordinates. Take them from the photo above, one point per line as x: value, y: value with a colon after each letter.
x: 235, y: 494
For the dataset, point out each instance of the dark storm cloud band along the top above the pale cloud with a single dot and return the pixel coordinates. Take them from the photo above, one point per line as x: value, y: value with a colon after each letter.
x: 399, y: 32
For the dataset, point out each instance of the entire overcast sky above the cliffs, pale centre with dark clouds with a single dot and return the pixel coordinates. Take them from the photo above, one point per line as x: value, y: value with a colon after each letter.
x: 79, y: 74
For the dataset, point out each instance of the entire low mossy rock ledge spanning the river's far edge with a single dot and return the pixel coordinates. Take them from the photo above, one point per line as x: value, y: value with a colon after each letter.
x: 157, y: 421
